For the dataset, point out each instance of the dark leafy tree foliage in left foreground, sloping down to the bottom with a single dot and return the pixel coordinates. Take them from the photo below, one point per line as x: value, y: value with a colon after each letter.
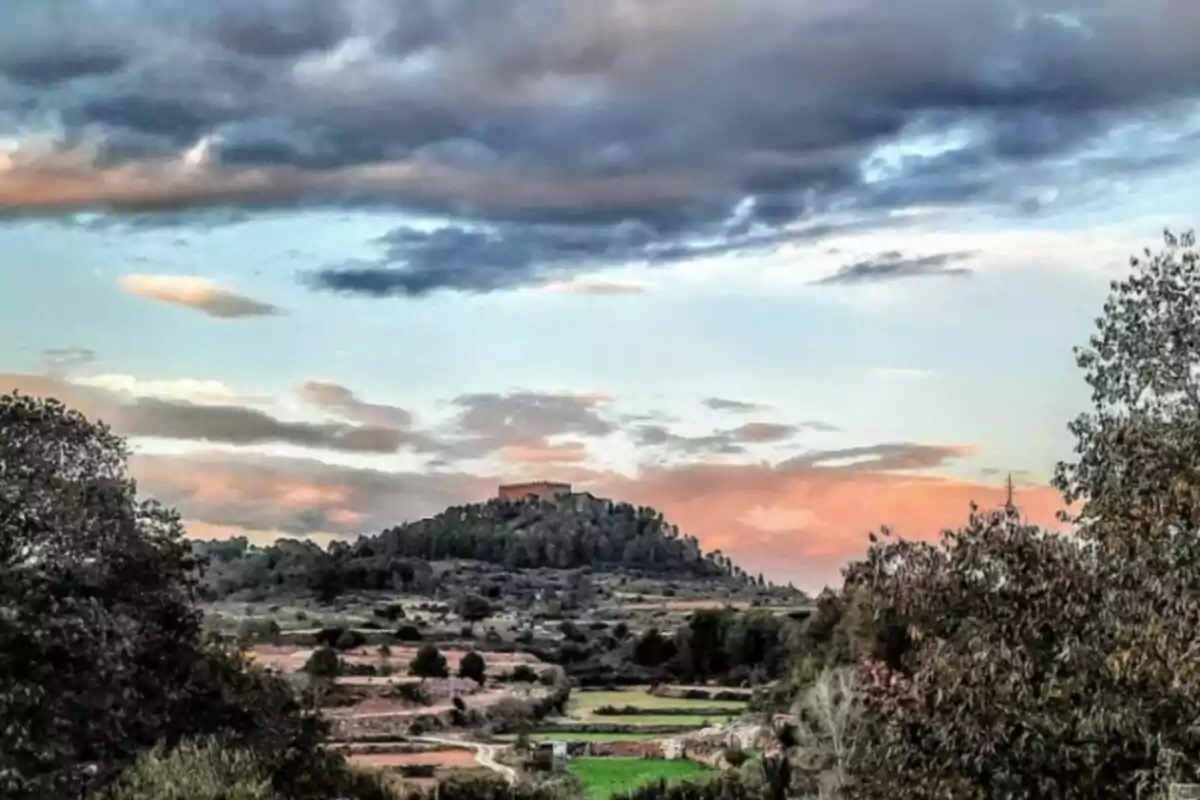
x: 101, y: 653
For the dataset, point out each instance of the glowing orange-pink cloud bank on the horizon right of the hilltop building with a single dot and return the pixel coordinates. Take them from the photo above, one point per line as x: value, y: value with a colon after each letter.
x: 805, y: 525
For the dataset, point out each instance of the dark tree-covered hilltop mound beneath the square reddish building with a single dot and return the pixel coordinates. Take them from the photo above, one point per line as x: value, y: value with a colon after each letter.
x: 573, y: 532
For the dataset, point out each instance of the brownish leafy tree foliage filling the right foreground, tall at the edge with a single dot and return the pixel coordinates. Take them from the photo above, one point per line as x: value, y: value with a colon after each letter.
x: 1037, y: 665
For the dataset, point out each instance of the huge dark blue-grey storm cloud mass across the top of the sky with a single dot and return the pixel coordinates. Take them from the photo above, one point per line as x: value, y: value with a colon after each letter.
x: 560, y: 136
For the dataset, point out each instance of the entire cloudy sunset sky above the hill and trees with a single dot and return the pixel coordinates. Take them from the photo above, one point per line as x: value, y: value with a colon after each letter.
x: 785, y: 270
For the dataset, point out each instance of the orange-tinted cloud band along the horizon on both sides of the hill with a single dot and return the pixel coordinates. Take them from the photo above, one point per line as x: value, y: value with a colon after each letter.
x: 796, y: 521
